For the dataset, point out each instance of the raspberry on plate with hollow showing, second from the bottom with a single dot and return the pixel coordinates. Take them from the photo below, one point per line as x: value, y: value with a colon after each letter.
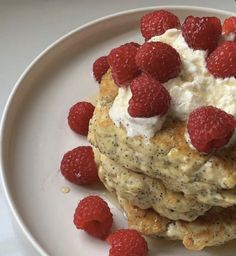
x: 93, y: 215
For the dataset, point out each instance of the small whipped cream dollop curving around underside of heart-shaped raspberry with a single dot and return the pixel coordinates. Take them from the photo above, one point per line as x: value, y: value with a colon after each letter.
x: 146, y: 127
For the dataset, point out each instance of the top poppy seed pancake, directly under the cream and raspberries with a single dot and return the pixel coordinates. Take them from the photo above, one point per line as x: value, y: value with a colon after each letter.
x: 210, y: 179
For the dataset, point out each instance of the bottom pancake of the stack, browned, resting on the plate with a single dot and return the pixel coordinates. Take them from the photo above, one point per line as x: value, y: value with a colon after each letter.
x: 214, y: 228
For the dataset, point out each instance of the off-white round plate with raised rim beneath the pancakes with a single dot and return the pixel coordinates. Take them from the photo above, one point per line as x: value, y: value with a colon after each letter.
x: 35, y: 136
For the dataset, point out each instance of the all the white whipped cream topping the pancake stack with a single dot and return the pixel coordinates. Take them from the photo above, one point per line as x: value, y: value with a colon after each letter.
x: 194, y: 87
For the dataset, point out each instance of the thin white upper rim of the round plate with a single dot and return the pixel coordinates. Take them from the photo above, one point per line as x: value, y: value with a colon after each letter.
x: 6, y: 190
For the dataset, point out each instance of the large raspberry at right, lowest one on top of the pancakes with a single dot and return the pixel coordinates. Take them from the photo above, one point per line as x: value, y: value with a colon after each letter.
x: 210, y: 128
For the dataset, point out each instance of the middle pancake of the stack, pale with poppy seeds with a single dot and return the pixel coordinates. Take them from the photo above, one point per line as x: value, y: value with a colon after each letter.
x: 145, y: 192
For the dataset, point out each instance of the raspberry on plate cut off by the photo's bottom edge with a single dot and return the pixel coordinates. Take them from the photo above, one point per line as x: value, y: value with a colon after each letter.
x: 127, y: 242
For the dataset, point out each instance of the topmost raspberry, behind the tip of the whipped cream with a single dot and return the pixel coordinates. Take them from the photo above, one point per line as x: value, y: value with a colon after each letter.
x: 157, y: 22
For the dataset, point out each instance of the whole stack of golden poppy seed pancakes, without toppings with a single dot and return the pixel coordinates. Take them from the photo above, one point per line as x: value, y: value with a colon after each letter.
x: 165, y: 188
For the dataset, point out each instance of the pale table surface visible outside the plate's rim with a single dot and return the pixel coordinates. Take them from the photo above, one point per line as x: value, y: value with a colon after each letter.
x: 26, y: 28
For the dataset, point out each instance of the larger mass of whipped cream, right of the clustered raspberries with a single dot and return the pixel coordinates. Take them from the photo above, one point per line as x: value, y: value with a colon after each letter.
x: 195, y: 86
